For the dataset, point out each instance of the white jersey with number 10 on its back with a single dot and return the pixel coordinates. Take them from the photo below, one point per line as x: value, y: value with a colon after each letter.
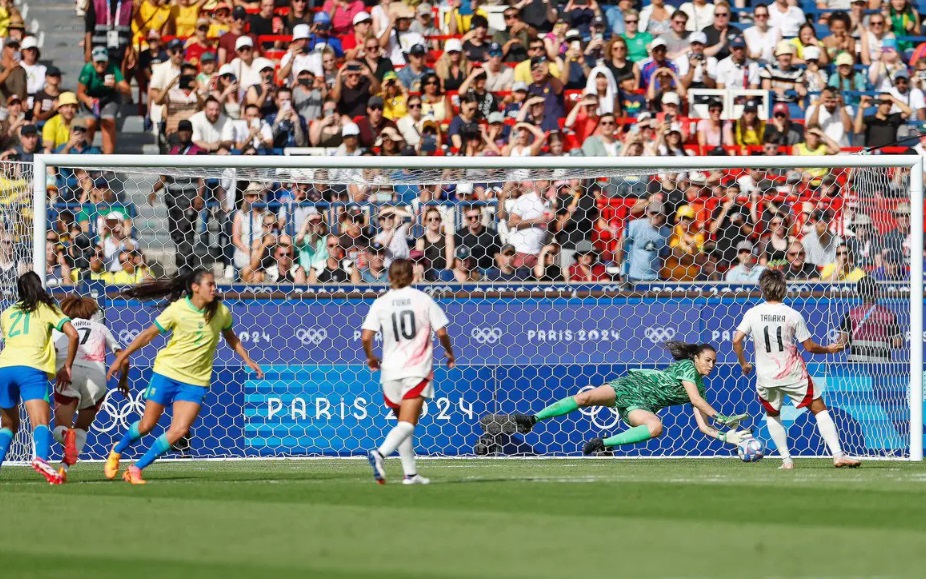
x: 406, y: 317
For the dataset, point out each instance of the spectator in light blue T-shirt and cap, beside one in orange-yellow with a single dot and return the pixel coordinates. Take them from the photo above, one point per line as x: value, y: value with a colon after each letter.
x: 644, y: 246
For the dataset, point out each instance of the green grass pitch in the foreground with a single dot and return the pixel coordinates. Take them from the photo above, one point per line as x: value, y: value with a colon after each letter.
x: 478, y: 518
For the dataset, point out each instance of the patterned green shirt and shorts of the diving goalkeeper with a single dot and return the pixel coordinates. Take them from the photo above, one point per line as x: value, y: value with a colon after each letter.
x: 655, y: 389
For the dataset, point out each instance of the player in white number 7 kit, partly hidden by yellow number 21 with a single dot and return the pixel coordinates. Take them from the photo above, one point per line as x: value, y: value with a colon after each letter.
x: 87, y: 389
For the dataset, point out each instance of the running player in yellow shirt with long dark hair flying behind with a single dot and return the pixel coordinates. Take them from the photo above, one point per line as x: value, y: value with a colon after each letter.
x: 195, y: 318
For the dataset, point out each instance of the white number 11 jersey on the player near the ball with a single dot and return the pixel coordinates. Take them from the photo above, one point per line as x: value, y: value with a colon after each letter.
x: 776, y: 330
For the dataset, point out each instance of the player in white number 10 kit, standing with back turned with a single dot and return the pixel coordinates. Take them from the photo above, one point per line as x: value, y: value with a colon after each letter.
x: 406, y: 317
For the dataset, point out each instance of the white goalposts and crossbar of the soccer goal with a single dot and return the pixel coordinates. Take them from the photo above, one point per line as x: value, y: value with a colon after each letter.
x: 42, y: 162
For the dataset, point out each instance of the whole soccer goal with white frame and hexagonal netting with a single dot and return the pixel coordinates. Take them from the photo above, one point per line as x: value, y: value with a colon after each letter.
x: 557, y: 274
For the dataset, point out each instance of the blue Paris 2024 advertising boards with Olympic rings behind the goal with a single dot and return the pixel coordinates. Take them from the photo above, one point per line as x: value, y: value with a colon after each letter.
x: 515, y: 355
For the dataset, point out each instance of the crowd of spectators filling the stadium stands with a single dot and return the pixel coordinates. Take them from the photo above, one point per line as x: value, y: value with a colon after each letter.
x: 474, y: 78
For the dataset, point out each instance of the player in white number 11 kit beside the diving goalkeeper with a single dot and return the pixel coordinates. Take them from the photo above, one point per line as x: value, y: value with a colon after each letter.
x: 776, y: 330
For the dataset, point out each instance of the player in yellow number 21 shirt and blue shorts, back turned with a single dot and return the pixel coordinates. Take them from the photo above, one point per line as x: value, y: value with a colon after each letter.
x: 26, y: 363
